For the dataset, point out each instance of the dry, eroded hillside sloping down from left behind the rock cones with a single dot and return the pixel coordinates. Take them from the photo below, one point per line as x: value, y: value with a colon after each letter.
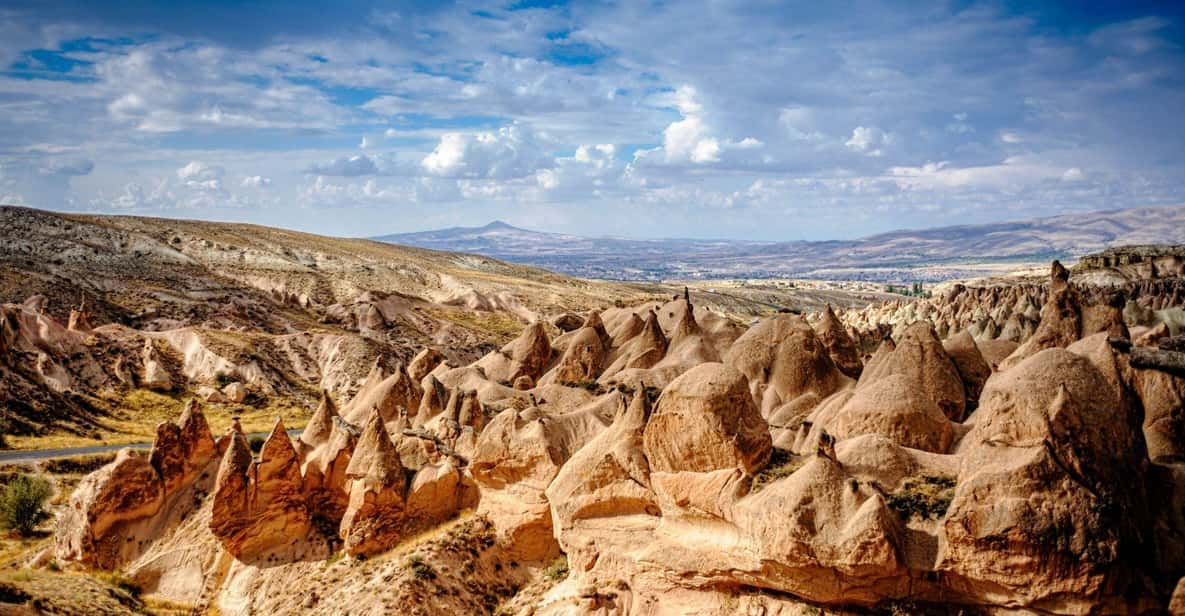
x: 97, y: 304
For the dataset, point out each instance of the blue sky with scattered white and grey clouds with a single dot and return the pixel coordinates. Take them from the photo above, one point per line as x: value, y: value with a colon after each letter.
x: 712, y: 119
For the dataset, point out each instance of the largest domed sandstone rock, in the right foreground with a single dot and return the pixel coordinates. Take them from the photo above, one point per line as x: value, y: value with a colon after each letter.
x: 1051, y: 492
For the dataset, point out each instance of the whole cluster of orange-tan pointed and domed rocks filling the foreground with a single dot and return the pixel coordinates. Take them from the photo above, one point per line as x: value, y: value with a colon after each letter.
x: 672, y: 458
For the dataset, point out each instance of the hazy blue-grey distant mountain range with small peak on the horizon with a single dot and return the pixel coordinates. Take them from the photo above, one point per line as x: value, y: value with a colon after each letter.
x: 928, y: 254
